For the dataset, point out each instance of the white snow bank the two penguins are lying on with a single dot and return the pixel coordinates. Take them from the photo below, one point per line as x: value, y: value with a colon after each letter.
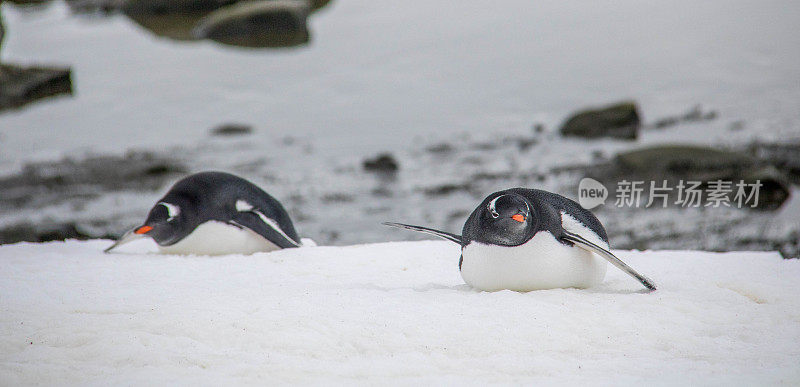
x: 394, y: 313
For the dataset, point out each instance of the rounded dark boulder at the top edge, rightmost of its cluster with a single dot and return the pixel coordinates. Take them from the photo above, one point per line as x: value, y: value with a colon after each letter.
x: 278, y: 23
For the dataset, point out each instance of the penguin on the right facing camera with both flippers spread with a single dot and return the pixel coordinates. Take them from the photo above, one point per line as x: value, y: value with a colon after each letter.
x: 527, y: 239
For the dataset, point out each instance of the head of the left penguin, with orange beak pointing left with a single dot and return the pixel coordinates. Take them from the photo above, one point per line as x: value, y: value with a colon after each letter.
x: 167, y: 223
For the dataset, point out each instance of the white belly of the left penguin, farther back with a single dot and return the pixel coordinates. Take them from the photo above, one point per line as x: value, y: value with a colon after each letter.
x: 217, y: 238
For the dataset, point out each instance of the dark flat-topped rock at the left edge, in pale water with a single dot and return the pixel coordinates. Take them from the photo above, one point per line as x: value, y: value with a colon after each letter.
x: 23, y: 85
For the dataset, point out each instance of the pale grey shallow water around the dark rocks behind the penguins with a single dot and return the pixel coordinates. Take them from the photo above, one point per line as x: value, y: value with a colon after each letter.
x: 387, y: 76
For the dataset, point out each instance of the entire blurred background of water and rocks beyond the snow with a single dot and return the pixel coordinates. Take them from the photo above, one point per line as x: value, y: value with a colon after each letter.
x: 354, y: 112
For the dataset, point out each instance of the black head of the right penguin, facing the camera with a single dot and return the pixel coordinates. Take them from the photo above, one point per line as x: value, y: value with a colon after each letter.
x: 505, y: 219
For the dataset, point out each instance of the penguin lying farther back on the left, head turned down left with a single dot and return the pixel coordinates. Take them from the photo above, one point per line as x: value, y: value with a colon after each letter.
x: 215, y: 213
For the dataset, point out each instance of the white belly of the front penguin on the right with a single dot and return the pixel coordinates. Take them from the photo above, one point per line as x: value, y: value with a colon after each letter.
x: 541, y: 263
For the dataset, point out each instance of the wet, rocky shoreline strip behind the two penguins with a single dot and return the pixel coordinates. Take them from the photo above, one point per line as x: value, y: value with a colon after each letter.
x: 74, y: 183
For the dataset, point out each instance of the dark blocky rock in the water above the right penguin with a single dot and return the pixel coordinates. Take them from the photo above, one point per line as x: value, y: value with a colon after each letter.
x: 620, y: 120
